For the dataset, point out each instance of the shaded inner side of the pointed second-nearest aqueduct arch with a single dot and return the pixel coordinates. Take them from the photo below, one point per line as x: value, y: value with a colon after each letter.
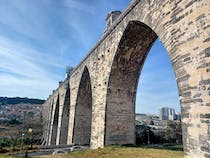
x: 83, y: 111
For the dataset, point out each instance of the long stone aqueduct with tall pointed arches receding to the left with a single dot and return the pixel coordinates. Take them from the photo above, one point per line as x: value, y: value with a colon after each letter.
x: 95, y: 105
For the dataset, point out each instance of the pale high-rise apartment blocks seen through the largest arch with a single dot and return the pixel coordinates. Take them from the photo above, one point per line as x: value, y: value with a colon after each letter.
x: 167, y: 113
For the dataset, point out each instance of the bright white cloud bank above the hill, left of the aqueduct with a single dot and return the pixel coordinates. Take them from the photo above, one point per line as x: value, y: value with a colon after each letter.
x: 23, y: 73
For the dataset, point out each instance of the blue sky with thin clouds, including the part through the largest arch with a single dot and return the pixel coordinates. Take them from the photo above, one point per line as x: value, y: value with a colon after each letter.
x: 39, y: 38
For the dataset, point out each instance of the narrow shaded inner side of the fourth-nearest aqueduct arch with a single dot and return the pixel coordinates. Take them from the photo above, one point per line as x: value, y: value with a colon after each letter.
x: 55, y: 123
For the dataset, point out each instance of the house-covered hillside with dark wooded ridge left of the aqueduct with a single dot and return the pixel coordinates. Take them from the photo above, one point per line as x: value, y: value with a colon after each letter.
x: 17, y: 115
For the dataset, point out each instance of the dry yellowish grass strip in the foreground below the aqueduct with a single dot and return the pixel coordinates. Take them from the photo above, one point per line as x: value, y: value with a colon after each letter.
x: 122, y: 152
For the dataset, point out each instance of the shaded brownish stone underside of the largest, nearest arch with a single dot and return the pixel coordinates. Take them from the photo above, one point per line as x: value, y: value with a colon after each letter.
x: 123, y: 80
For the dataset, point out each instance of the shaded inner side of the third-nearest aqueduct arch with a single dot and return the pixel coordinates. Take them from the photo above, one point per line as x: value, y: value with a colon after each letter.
x: 65, y: 118
